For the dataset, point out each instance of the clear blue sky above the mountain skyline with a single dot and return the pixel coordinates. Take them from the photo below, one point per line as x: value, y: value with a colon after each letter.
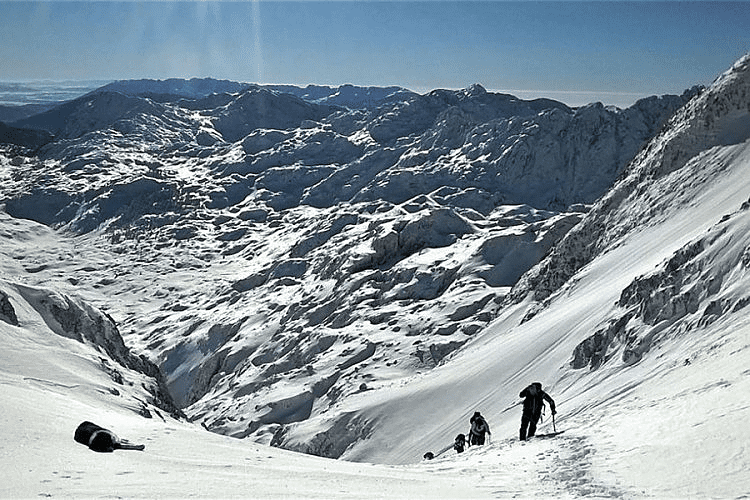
x: 576, y: 52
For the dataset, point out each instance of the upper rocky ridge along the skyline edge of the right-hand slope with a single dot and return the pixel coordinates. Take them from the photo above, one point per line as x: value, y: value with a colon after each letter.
x: 715, y: 117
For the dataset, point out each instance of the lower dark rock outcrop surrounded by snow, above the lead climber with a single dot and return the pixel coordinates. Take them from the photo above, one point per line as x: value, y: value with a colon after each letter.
x: 698, y: 286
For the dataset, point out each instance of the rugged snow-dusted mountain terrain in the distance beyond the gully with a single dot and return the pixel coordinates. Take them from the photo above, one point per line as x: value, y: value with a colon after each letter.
x: 340, y: 252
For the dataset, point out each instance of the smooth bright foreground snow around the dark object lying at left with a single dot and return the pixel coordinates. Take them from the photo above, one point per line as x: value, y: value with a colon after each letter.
x: 51, y: 383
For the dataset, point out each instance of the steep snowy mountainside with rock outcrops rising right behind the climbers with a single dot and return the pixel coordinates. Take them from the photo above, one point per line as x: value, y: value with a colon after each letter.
x: 645, y: 348
